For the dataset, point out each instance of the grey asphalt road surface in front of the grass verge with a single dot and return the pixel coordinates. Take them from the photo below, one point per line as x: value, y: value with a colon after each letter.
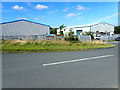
x: 34, y: 70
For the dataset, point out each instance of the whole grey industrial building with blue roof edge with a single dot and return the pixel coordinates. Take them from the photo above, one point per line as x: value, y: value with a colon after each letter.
x: 24, y: 29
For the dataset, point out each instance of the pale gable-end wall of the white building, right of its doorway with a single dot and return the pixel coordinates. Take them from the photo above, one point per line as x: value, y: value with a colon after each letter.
x: 103, y: 27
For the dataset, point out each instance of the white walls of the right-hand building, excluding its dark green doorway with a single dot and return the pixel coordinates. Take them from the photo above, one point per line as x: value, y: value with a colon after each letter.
x: 101, y: 27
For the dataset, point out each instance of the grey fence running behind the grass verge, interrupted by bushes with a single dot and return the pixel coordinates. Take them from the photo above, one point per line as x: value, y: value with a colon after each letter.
x: 44, y: 37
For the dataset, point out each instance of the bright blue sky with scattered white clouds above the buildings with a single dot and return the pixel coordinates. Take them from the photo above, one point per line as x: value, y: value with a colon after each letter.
x: 58, y: 13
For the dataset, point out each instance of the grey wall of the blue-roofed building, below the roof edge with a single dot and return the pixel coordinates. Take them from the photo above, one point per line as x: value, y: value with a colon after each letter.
x: 24, y: 28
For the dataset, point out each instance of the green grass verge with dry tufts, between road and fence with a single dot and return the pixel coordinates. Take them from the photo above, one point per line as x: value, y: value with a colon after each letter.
x: 10, y: 46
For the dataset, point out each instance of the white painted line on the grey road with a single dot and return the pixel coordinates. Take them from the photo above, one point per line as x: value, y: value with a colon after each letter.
x: 76, y: 60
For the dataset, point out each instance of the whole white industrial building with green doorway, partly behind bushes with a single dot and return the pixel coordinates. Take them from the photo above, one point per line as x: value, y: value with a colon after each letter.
x: 98, y: 29
